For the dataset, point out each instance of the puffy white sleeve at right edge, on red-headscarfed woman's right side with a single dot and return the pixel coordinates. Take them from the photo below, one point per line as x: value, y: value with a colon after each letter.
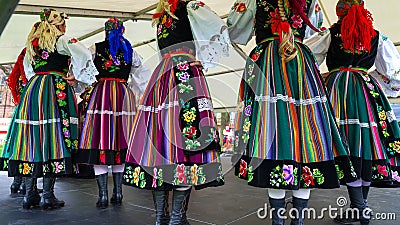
x: 387, y: 63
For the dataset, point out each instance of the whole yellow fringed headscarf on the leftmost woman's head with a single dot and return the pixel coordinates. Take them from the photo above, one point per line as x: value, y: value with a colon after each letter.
x: 46, y: 33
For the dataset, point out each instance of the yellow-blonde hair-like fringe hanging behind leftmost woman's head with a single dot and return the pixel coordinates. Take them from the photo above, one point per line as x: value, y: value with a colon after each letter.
x: 47, y: 35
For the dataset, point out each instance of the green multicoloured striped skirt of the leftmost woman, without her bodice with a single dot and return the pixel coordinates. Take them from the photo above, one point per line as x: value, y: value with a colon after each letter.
x: 43, y: 130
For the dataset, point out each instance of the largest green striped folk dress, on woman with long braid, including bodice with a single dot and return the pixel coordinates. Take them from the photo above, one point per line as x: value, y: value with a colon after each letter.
x: 286, y: 133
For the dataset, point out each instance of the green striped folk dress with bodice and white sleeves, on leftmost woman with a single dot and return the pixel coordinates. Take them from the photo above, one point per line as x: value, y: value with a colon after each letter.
x: 43, y: 130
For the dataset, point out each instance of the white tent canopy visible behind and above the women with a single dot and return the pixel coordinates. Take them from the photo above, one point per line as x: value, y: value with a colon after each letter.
x: 88, y: 16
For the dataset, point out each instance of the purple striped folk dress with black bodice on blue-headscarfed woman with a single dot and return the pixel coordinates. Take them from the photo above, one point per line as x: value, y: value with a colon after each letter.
x: 110, y: 109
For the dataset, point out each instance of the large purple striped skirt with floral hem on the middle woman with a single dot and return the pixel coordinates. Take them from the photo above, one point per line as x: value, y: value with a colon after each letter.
x: 173, y: 141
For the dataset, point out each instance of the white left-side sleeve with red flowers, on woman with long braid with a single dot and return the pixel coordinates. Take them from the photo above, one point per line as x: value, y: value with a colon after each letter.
x: 241, y: 21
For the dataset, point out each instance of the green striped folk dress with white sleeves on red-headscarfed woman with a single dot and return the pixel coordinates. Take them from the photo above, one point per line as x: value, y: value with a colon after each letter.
x: 363, y: 112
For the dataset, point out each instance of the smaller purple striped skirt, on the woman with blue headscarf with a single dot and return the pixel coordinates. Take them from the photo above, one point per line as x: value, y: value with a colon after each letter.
x: 107, y: 124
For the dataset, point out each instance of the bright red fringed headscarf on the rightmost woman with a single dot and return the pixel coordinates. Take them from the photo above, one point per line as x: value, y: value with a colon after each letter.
x: 356, y: 28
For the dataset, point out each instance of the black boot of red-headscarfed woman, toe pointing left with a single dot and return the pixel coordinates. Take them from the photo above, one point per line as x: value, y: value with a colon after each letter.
x: 356, y: 202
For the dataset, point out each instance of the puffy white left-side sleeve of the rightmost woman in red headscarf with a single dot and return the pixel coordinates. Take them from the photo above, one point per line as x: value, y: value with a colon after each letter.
x: 319, y: 45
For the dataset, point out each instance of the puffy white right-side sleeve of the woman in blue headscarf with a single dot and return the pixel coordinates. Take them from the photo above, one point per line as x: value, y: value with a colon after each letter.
x: 139, y: 76
